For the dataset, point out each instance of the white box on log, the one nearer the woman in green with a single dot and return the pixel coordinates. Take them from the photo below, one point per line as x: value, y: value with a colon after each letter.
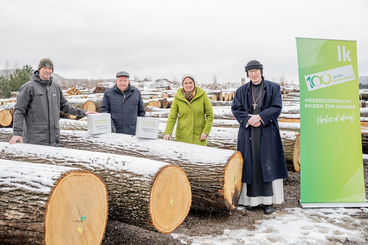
x: 147, y: 128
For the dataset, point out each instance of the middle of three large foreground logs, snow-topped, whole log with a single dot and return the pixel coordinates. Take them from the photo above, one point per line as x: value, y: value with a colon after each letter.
x: 142, y: 192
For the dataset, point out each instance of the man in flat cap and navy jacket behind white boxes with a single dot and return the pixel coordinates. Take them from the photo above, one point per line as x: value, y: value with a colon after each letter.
x: 124, y: 103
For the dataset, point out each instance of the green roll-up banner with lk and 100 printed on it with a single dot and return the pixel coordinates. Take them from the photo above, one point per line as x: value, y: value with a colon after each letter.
x: 330, y: 134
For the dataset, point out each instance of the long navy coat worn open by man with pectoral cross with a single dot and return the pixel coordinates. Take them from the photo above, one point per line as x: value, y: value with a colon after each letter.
x: 272, y: 153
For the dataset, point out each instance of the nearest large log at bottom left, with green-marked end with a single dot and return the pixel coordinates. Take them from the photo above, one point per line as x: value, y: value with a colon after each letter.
x: 48, y: 204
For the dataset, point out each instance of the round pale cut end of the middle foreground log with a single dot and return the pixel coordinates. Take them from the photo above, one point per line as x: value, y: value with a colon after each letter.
x: 170, y: 199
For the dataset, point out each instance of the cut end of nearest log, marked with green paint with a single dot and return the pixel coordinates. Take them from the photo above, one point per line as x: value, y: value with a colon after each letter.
x: 77, y: 209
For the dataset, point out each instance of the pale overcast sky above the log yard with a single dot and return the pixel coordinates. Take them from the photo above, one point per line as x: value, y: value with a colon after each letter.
x: 167, y: 39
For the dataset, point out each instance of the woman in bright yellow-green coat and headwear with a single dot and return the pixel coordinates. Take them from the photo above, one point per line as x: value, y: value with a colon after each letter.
x: 193, y: 107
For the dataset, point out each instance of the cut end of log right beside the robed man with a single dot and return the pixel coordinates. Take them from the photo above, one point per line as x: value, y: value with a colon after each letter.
x: 232, y: 180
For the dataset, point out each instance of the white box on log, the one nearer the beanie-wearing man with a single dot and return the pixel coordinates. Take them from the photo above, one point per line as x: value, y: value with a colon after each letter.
x: 99, y: 123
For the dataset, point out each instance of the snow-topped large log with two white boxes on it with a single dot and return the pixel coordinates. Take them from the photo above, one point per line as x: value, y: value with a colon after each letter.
x: 214, y: 174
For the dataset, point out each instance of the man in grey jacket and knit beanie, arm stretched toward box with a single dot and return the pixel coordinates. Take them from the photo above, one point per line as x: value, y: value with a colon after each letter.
x: 37, y: 111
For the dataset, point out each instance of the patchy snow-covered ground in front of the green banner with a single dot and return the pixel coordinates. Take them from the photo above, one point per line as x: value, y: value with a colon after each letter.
x: 296, y: 226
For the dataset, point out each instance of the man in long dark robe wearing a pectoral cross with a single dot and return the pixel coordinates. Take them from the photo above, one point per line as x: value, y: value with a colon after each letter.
x: 256, y: 106
